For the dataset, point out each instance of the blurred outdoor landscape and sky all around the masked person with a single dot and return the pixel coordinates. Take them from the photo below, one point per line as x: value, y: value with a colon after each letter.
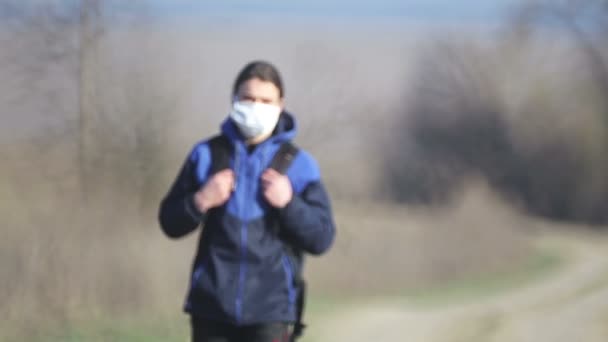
x: 463, y: 144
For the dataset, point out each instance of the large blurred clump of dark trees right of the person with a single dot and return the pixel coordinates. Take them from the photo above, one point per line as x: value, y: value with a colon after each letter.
x: 537, y: 132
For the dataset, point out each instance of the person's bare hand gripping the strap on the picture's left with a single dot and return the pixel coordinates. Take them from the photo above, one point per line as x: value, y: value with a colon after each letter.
x: 216, y: 191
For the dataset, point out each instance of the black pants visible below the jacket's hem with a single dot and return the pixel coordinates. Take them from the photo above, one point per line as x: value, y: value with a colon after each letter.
x: 204, y: 330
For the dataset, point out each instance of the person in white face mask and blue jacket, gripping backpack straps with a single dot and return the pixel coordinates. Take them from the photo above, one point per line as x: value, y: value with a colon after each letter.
x: 244, y: 283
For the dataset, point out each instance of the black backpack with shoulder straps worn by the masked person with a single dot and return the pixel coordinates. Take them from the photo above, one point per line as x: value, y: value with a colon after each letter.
x: 221, y: 153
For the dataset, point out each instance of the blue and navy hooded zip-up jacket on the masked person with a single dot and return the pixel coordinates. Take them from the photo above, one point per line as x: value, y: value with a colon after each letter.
x: 245, y: 271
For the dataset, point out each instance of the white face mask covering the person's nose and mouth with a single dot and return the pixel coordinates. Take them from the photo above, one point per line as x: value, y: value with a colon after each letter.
x: 255, y: 119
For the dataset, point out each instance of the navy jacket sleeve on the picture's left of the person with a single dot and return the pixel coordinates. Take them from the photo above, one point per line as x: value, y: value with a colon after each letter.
x: 178, y: 214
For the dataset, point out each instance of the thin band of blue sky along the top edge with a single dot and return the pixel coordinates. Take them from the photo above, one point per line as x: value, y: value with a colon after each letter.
x: 430, y: 11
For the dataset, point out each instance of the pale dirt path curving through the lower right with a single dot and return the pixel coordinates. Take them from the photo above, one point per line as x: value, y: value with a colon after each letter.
x: 571, y: 305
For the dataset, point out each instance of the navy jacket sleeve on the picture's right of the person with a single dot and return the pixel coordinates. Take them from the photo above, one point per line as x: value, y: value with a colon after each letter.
x: 307, y: 219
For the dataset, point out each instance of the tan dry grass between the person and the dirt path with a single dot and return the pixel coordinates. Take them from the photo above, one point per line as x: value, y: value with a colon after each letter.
x: 385, y: 248
